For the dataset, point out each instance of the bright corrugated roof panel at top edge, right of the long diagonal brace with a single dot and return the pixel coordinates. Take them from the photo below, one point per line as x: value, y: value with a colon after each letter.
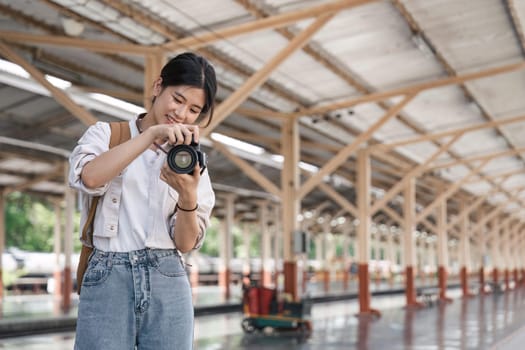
x: 377, y: 46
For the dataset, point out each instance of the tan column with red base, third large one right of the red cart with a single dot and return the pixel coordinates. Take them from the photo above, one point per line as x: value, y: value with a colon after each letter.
x: 442, y: 245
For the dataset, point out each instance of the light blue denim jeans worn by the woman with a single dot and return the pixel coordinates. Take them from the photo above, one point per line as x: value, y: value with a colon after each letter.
x: 135, y: 300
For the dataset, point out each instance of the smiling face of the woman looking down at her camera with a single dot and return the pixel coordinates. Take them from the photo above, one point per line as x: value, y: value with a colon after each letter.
x: 177, y: 104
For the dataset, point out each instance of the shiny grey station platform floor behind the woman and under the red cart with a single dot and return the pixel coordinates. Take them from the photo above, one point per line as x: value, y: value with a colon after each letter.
x: 488, y: 321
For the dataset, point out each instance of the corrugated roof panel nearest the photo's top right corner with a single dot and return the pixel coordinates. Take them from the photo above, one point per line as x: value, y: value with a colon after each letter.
x: 467, y: 35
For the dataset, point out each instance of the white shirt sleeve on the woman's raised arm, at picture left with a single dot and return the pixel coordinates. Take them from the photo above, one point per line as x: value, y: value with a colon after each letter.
x: 94, y: 142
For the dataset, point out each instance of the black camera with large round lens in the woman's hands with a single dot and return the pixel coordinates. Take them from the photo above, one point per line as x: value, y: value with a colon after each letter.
x: 182, y: 159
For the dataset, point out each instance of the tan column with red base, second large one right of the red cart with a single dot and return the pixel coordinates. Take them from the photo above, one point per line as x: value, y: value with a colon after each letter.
x: 409, y: 242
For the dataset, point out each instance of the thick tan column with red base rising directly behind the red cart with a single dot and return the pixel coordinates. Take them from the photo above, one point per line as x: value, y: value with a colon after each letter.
x: 290, y: 202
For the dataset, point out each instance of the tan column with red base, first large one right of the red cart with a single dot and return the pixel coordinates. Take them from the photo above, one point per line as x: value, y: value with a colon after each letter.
x: 363, y: 230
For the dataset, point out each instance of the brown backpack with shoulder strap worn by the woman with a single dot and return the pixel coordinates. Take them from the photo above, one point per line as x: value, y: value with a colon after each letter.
x: 120, y: 133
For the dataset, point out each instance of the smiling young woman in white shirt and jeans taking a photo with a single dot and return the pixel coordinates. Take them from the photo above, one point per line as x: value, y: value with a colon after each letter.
x: 135, y: 292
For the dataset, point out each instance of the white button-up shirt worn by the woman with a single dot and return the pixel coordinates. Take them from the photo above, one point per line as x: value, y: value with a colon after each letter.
x: 137, y: 209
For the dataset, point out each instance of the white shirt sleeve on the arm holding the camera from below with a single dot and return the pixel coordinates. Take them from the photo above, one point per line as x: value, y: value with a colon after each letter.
x: 206, y: 201
